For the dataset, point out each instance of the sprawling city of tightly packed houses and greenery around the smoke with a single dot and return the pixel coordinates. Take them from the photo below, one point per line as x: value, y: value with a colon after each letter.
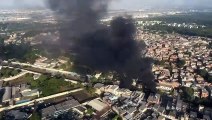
x: 36, y: 84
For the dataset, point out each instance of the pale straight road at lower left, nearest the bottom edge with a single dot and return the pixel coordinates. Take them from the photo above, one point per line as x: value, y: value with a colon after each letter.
x: 30, y: 103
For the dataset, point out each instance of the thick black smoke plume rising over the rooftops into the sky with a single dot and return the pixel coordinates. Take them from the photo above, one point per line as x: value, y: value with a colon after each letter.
x: 100, y: 47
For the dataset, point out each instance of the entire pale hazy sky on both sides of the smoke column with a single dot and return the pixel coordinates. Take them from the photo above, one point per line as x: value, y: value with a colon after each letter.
x: 117, y: 4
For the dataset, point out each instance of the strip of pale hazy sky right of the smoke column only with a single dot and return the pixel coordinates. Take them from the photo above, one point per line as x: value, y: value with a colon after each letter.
x: 139, y: 4
